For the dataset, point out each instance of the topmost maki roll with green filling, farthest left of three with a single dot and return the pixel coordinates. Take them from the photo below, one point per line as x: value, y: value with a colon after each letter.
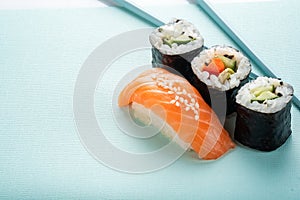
x: 174, y: 45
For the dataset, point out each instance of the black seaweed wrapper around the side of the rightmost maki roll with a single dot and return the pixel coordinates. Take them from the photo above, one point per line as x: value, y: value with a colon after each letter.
x: 262, y: 131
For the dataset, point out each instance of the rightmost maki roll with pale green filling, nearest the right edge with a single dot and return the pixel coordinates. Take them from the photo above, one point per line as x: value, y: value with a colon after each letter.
x: 263, y: 114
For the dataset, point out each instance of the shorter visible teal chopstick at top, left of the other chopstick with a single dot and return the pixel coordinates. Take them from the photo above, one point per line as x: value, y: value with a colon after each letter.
x: 139, y: 12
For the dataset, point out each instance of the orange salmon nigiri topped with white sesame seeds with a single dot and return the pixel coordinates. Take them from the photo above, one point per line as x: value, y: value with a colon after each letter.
x: 174, y: 100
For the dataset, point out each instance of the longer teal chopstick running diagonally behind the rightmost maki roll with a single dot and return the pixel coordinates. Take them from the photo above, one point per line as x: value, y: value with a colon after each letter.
x: 222, y: 25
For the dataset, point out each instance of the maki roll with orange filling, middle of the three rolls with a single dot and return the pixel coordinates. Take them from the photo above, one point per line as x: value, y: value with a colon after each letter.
x: 222, y: 70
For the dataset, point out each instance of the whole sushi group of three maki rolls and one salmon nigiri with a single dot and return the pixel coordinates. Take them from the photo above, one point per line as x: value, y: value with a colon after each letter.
x: 191, y: 88
